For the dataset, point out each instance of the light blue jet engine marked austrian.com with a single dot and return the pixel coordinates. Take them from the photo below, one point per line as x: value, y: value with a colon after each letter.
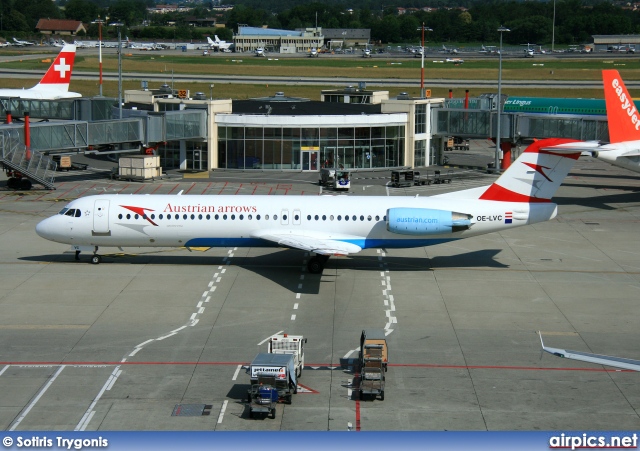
x: 426, y: 221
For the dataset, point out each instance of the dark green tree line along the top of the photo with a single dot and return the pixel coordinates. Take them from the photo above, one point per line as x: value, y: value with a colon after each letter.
x: 457, y: 21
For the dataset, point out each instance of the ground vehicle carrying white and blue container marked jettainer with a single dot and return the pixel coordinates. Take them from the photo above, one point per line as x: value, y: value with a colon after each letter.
x: 276, y: 370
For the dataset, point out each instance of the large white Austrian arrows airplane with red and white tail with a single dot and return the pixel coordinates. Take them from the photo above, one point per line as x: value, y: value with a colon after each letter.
x: 323, y: 225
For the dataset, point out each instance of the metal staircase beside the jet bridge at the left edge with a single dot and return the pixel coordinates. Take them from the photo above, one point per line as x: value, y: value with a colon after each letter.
x: 24, y: 166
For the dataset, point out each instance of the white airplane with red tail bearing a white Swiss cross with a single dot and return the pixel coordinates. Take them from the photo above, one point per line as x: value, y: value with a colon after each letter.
x: 55, y: 83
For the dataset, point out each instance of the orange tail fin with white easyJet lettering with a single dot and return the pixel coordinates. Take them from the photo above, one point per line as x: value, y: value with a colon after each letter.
x: 623, y: 116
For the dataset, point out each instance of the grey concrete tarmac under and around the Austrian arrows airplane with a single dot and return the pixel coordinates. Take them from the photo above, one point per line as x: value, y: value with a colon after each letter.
x: 159, y: 339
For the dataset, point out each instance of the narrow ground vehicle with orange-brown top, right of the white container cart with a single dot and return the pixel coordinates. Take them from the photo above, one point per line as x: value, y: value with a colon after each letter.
x: 373, y: 363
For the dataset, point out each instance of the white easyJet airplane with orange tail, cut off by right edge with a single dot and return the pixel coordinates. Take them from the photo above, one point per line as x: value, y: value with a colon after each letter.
x: 623, y: 149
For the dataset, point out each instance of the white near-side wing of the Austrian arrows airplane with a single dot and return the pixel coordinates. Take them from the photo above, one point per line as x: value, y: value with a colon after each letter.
x: 312, y: 242
